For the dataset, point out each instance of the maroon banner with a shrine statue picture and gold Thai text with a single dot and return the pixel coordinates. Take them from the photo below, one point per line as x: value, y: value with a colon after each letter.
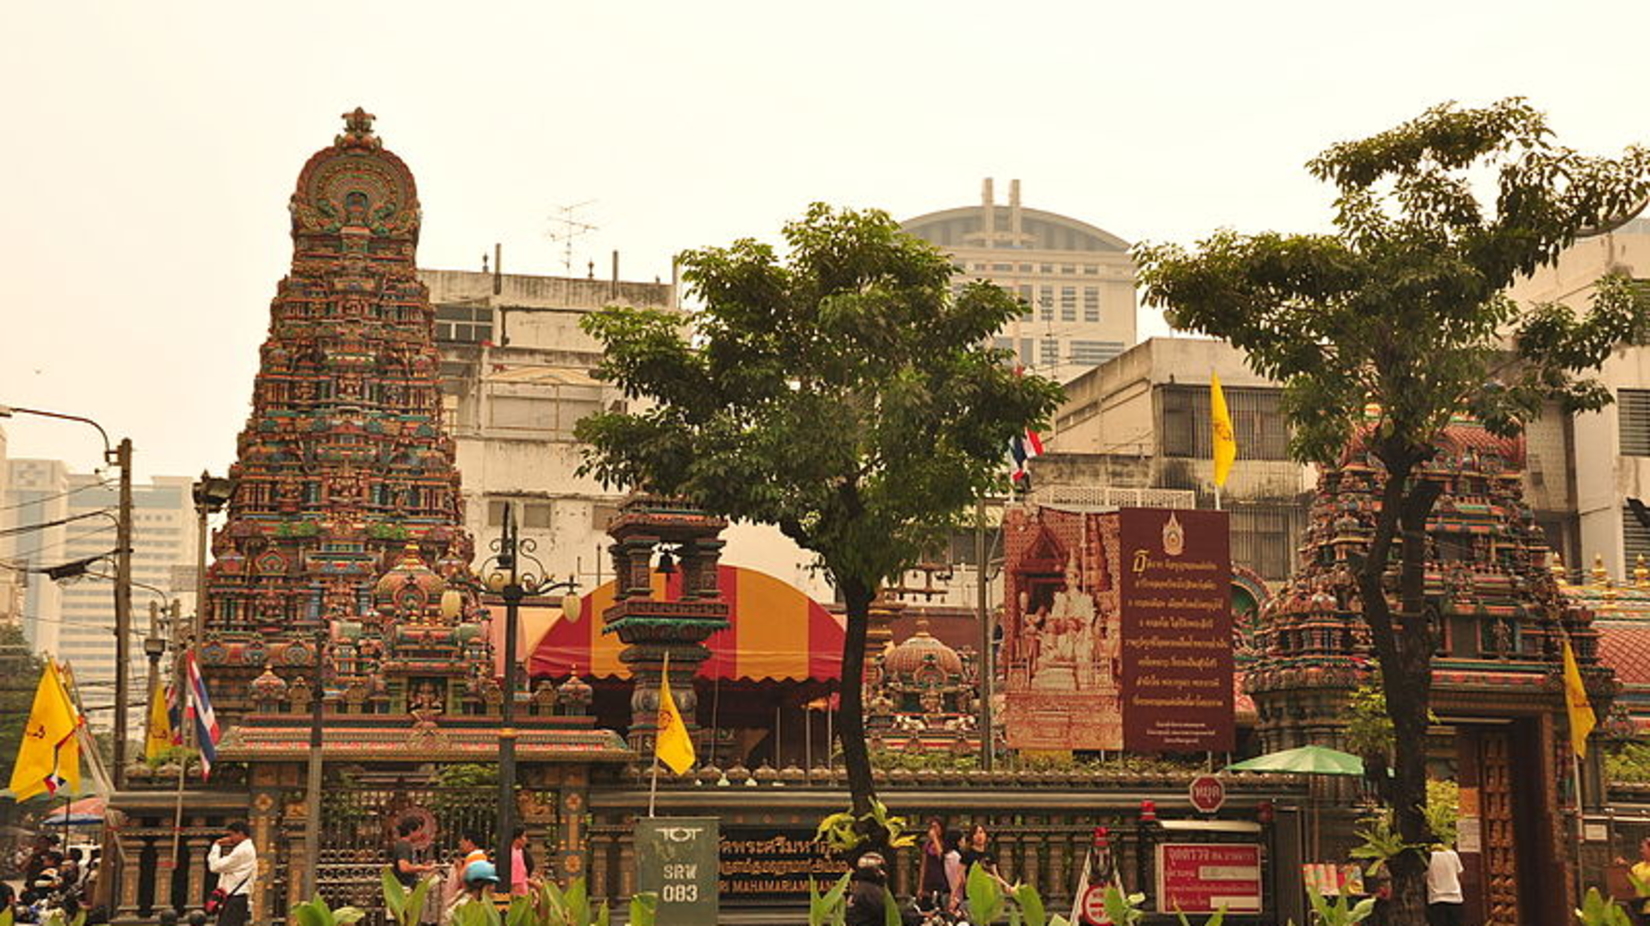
x: 1116, y: 631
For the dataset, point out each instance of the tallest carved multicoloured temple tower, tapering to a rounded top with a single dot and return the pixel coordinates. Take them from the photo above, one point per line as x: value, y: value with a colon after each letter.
x: 347, y: 517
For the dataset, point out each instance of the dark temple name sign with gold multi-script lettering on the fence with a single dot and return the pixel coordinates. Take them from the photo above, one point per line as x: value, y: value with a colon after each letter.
x: 765, y: 864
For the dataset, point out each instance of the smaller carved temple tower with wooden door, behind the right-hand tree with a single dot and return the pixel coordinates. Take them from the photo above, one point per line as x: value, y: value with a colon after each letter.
x: 1497, y: 692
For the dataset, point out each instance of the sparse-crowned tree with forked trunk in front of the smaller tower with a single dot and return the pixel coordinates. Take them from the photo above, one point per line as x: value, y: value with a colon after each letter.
x: 1403, y: 311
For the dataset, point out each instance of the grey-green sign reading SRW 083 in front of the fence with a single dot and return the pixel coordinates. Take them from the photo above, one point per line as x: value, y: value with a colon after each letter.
x: 676, y: 857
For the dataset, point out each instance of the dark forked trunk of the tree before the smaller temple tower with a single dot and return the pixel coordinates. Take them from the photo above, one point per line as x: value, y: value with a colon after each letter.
x: 1405, y: 645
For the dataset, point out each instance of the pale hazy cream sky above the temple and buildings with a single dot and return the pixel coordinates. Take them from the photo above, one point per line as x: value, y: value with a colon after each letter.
x: 151, y: 149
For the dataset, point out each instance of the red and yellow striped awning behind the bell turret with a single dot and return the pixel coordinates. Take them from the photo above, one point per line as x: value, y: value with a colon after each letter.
x: 776, y: 633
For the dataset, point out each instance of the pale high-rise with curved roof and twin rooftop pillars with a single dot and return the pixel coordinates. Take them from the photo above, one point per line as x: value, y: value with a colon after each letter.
x: 1077, y: 281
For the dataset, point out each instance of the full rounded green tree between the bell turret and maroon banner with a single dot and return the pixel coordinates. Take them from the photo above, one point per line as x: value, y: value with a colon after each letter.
x: 842, y: 392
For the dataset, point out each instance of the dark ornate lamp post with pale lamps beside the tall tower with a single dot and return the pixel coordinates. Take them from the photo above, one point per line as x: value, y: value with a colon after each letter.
x: 514, y: 574
